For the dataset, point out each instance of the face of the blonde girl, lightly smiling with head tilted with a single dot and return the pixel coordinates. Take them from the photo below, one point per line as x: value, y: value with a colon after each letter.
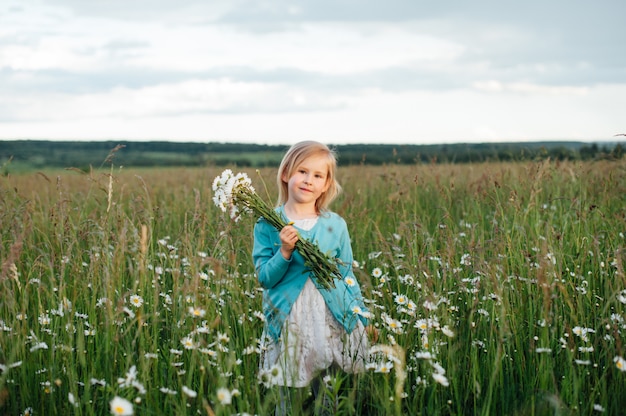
x: 308, y: 181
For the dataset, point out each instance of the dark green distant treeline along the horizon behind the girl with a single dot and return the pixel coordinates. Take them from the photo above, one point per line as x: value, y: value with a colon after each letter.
x: 37, y: 154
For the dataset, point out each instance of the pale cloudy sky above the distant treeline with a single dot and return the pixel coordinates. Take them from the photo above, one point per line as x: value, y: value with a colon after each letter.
x: 339, y: 71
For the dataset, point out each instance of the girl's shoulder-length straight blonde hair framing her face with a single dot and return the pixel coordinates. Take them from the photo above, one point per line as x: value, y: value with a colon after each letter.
x: 294, y: 157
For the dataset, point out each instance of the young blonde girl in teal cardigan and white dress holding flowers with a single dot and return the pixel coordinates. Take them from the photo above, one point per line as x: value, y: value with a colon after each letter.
x: 308, y: 329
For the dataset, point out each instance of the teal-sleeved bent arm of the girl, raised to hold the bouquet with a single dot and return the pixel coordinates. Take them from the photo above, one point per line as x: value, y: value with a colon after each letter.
x: 269, y: 263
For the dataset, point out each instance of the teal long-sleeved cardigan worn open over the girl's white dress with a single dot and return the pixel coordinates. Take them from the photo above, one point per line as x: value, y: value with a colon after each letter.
x: 283, y: 280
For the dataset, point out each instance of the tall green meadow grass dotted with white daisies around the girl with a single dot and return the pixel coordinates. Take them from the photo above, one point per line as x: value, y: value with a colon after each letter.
x: 497, y: 289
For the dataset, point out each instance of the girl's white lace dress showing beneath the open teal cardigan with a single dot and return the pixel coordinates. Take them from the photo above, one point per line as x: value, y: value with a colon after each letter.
x: 312, y: 340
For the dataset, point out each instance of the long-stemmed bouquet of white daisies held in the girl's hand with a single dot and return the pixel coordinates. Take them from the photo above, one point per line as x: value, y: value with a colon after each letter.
x: 234, y: 193
